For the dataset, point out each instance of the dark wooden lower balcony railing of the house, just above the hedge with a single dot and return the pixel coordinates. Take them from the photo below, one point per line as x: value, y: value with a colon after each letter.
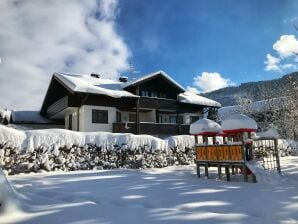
x: 152, y: 128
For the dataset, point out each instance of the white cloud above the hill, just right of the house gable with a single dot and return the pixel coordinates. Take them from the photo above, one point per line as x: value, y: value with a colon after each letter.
x: 209, y: 81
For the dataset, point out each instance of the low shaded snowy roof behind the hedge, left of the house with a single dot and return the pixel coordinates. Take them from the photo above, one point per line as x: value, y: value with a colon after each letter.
x: 28, y: 117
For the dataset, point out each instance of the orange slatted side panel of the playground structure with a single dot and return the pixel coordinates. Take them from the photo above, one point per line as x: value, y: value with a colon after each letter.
x: 220, y: 153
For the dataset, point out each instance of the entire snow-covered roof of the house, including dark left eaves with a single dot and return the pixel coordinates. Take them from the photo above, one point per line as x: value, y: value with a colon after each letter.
x: 78, y: 88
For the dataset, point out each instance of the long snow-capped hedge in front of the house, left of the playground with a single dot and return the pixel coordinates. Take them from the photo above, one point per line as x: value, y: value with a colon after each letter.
x: 58, y: 149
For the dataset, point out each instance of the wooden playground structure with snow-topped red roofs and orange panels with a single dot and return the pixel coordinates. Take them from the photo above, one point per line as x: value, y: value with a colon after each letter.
x: 231, y: 146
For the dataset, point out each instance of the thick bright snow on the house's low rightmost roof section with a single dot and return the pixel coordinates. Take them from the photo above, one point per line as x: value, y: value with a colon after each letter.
x: 192, y: 98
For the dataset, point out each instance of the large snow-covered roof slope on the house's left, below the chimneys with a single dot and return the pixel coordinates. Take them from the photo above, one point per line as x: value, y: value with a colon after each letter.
x: 93, y: 84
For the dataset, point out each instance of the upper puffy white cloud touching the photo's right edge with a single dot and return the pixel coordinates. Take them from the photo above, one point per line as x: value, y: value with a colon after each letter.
x: 286, y: 46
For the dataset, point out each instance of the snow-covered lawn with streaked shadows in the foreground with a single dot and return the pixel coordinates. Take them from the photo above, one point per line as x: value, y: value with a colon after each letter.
x: 167, y: 195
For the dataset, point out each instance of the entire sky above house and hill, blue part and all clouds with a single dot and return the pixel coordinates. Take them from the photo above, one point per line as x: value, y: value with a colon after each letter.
x: 203, y: 44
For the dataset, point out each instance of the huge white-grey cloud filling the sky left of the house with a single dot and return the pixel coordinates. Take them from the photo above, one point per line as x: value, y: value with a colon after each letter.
x: 38, y: 38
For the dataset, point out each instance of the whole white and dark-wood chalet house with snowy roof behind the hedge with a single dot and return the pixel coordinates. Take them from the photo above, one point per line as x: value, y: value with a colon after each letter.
x: 152, y: 104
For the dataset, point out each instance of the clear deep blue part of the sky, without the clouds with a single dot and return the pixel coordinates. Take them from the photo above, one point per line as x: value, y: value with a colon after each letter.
x: 186, y: 38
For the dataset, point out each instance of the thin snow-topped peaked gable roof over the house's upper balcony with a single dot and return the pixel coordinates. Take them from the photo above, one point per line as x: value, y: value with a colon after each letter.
x: 151, y: 76
